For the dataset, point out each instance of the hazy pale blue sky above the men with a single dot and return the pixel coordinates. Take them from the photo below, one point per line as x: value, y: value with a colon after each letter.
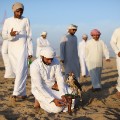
x: 54, y: 16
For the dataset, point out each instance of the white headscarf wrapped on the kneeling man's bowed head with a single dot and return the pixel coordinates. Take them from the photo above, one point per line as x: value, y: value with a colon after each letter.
x: 48, y: 52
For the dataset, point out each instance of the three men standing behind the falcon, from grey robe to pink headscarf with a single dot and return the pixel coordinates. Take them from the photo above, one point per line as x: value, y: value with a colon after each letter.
x: 89, y: 52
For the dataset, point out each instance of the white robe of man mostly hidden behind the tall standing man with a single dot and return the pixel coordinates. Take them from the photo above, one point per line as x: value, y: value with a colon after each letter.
x: 8, y: 68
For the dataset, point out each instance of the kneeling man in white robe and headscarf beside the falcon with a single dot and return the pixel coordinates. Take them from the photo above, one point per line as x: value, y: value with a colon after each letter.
x: 45, y: 71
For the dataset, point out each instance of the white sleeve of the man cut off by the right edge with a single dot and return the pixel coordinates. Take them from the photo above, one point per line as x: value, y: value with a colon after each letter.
x: 113, y: 42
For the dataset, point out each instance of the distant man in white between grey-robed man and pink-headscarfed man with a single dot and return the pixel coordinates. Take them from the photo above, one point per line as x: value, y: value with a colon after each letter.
x: 81, y: 53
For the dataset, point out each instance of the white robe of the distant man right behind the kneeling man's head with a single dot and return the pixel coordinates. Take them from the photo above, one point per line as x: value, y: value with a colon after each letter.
x: 40, y: 44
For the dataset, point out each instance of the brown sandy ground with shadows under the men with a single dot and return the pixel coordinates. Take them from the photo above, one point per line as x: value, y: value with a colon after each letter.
x: 103, y: 105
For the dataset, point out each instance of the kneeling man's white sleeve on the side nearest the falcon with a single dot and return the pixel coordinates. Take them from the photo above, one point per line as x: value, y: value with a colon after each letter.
x: 60, y: 80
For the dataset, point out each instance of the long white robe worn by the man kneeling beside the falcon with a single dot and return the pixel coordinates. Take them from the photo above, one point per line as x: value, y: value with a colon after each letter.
x: 43, y: 78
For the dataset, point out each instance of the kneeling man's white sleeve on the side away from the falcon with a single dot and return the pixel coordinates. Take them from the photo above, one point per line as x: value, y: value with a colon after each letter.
x: 37, y: 81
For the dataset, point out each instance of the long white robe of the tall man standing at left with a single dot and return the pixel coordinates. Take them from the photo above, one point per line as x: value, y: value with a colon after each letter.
x: 20, y: 46
